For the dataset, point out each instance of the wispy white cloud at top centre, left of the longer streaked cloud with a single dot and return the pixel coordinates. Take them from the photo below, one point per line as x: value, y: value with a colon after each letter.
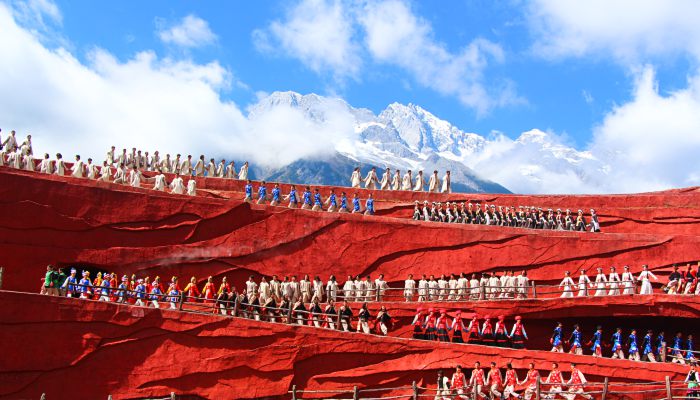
x: 317, y: 32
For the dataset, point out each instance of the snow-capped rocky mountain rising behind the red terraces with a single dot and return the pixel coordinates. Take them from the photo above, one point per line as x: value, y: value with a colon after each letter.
x: 410, y: 137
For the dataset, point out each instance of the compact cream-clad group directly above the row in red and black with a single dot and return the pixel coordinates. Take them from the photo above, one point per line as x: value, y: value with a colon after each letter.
x: 457, y: 287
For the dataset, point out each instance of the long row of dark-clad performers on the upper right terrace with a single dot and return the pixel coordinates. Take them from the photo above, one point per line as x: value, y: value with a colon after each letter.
x: 522, y: 217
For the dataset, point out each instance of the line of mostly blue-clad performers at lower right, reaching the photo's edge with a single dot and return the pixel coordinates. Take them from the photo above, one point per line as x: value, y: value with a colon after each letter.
x: 651, y: 350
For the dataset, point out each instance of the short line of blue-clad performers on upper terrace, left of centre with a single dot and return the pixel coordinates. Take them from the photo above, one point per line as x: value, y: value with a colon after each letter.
x: 309, y: 200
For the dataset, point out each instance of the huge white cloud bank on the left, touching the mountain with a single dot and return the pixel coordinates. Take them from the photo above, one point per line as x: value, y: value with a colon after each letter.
x: 147, y: 102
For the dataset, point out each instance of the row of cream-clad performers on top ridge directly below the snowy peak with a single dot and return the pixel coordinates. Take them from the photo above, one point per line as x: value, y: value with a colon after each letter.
x: 394, y: 181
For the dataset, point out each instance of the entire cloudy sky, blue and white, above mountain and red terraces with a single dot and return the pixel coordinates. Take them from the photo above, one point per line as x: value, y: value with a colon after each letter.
x: 614, y: 86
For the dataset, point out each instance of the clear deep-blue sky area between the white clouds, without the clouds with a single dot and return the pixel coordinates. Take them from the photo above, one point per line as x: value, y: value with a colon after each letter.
x: 552, y: 91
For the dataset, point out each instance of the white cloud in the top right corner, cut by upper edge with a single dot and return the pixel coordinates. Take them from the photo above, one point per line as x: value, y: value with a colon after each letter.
x: 630, y: 30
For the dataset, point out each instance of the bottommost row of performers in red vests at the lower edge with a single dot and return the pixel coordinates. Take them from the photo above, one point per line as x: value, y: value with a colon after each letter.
x: 492, y: 384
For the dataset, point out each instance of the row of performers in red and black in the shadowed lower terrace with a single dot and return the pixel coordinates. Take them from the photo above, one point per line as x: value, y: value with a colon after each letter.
x: 436, y: 325
